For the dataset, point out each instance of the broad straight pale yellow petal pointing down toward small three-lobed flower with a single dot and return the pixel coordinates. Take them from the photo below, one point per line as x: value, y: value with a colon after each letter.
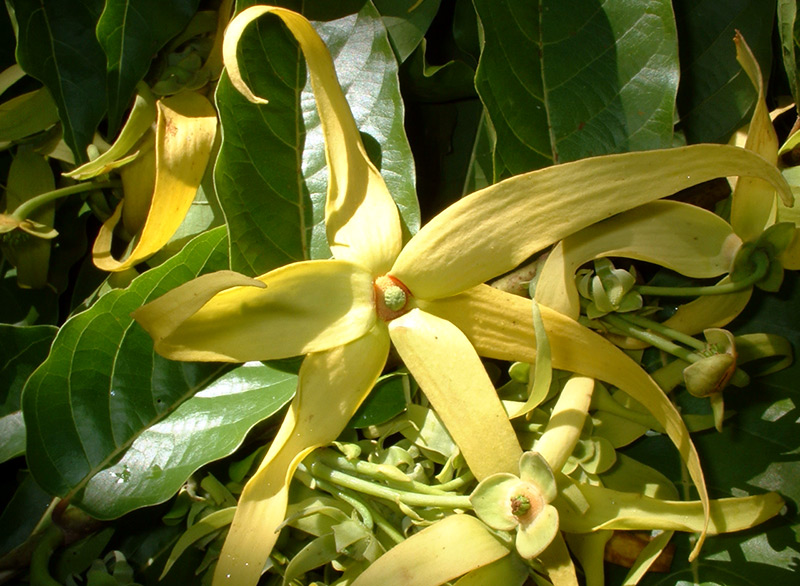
x: 453, y: 379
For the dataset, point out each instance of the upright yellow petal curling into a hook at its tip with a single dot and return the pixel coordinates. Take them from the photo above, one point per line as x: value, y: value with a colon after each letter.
x: 362, y: 221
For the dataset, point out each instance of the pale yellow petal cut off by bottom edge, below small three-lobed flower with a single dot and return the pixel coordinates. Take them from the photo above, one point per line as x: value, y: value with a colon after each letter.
x: 439, y: 553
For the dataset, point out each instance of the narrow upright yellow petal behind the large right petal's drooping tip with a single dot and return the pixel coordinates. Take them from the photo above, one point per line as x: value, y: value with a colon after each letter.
x: 754, y: 202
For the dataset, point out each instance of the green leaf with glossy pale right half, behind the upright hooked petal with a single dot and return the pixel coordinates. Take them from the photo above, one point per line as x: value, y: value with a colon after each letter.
x: 274, y: 217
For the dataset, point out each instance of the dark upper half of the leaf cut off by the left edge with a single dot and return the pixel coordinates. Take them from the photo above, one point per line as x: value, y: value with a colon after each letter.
x: 22, y: 349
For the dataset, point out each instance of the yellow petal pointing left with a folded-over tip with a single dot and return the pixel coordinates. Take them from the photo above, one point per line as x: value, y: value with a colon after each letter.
x: 296, y: 309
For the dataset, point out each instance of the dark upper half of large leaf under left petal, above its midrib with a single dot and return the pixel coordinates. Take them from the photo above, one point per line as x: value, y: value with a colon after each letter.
x: 102, y: 384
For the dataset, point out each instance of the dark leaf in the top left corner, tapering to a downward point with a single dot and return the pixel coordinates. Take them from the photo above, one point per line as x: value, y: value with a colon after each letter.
x: 56, y: 44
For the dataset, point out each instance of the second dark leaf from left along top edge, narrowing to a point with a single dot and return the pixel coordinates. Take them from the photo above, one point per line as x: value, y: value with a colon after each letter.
x: 131, y: 34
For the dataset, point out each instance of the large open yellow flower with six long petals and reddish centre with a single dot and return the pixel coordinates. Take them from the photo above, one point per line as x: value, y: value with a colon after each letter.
x: 343, y: 313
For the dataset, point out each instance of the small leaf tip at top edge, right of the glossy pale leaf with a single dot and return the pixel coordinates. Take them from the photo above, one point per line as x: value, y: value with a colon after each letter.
x: 406, y: 23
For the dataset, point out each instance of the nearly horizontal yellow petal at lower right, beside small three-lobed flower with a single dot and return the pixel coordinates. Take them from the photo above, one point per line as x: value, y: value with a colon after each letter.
x: 612, y: 509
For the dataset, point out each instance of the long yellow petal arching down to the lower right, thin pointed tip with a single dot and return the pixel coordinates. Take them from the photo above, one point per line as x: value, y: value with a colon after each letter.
x: 498, y: 325
